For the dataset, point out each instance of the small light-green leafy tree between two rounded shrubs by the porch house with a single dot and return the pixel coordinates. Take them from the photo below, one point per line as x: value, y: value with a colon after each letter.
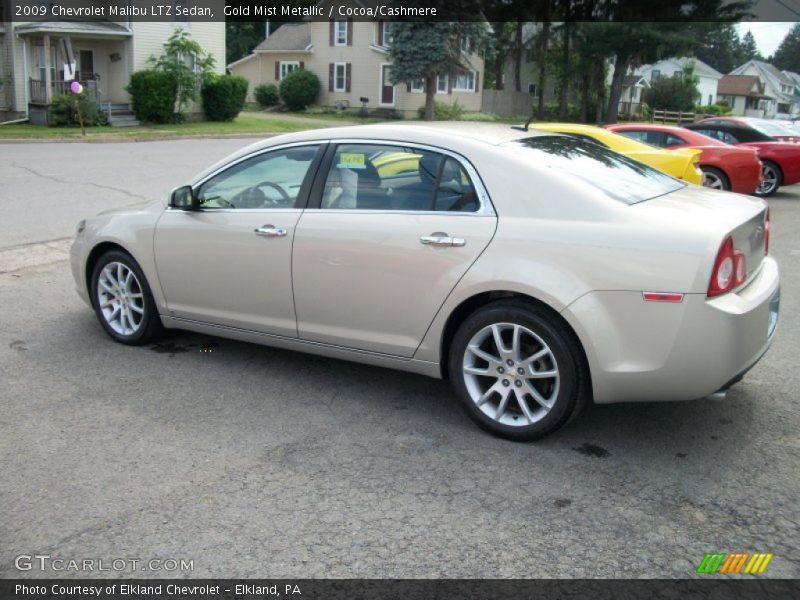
x: 185, y: 61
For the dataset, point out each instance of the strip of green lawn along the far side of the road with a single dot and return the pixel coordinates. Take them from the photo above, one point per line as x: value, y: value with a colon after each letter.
x: 244, y: 124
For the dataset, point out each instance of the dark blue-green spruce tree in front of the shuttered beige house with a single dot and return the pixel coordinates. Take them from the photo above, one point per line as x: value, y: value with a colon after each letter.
x: 422, y: 50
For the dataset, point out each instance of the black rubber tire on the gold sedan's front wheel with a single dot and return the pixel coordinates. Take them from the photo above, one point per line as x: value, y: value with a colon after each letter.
x: 149, y: 326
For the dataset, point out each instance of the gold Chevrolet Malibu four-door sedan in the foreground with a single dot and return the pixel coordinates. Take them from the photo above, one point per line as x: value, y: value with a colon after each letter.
x: 537, y: 272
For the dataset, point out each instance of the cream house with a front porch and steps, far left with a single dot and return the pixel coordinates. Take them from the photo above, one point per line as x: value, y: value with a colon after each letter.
x: 35, y: 65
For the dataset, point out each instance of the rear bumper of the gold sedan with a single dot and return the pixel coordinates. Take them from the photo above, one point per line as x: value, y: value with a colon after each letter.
x: 653, y: 351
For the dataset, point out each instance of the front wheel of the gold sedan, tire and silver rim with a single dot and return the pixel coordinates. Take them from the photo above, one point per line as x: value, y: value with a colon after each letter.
x: 122, y: 299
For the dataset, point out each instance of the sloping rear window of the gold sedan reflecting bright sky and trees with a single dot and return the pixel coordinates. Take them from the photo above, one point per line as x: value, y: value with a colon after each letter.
x: 618, y: 176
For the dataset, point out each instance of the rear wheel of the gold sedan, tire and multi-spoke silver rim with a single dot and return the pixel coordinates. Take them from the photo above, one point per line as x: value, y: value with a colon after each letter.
x: 517, y: 370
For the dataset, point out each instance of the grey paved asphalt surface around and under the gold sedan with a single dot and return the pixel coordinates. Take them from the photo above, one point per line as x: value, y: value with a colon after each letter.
x: 257, y: 462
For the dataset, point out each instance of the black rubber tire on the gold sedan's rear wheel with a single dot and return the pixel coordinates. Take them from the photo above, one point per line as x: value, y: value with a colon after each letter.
x: 569, y: 397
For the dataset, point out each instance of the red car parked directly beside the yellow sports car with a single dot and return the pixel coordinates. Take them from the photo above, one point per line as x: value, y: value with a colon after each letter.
x: 724, y: 167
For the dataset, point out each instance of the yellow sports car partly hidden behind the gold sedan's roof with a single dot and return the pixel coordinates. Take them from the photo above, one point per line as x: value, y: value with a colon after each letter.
x: 681, y: 163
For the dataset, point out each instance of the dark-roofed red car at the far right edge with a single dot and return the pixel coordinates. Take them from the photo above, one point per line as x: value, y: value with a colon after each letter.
x: 780, y: 160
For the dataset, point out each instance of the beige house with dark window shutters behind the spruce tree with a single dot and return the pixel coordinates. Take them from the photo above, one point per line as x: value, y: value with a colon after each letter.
x: 352, y: 62
